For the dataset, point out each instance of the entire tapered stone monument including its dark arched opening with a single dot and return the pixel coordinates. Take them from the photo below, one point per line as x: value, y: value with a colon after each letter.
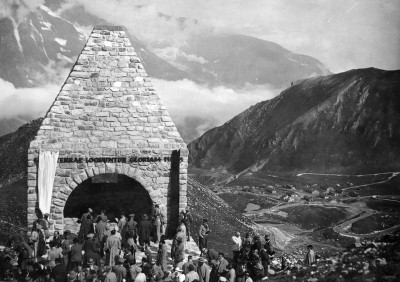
x: 111, y: 131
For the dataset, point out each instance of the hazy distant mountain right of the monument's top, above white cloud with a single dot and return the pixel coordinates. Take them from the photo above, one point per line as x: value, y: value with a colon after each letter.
x: 236, y: 60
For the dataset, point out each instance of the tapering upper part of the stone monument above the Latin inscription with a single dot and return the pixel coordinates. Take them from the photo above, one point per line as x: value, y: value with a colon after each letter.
x: 109, y: 94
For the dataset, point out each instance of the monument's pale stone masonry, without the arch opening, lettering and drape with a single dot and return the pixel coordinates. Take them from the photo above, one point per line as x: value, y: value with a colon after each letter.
x: 107, y: 108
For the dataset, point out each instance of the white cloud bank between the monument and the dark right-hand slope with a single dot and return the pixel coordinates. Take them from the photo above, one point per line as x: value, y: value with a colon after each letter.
x: 196, y: 108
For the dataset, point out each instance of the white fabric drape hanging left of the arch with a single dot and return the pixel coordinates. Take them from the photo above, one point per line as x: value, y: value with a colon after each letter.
x: 47, y: 172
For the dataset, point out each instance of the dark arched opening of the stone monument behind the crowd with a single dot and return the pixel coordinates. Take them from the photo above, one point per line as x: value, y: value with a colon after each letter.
x: 116, y: 193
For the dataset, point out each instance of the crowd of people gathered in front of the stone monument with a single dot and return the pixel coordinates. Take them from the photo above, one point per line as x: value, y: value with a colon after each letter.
x: 104, y: 251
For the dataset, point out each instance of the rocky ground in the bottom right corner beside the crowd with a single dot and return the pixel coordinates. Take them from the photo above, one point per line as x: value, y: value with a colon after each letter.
x: 369, y: 260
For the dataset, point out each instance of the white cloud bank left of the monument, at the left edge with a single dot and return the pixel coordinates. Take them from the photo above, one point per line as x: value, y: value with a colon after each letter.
x: 26, y: 102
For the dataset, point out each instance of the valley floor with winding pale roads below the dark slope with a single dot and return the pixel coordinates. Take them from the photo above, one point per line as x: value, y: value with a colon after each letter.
x: 324, y: 209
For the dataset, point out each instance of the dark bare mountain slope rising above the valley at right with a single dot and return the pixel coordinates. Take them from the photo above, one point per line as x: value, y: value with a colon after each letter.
x: 342, y: 122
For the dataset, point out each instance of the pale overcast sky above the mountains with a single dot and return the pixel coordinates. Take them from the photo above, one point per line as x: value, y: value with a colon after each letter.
x: 342, y: 34
